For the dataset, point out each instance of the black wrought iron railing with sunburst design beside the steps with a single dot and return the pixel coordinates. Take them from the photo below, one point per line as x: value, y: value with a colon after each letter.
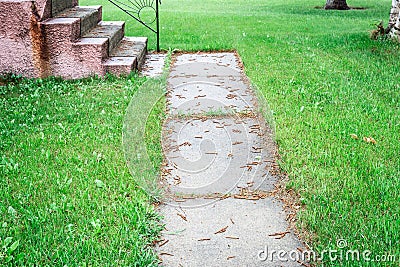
x: 145, y: 12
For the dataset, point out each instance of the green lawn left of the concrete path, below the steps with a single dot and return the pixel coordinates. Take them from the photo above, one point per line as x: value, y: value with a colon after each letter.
x: 67, y: 197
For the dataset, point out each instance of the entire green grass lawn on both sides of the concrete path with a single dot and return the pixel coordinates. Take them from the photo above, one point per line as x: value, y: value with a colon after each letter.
x: 325, y: 80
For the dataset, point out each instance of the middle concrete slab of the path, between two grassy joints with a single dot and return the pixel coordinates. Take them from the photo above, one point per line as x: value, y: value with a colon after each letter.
x: 217, y: 156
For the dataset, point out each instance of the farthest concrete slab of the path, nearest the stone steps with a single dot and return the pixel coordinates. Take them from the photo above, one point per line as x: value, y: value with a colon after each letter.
x: 213, y: 83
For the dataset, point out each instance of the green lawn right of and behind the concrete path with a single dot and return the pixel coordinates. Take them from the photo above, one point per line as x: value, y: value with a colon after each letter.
x: 325, y: 80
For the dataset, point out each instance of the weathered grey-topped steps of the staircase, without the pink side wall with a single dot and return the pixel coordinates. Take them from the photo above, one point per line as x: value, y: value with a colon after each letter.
x: 105, y: 41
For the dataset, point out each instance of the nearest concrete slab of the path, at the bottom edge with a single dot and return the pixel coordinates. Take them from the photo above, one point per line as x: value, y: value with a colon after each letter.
x: 192, y: 240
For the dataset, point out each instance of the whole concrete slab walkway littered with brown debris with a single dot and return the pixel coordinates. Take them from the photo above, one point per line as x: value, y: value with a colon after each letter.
x: 218, y: 206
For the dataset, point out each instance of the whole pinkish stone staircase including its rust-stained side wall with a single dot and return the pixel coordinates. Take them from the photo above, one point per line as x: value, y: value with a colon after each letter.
x: 73, y: 42
